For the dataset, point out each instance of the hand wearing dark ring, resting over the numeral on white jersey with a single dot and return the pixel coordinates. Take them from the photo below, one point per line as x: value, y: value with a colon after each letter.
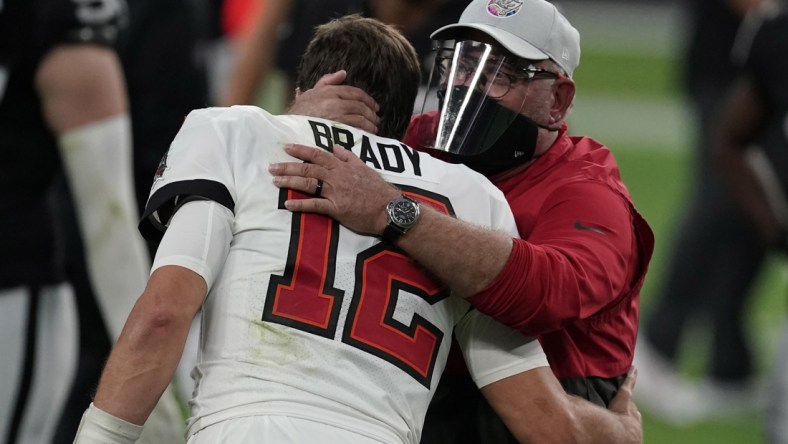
x: 349, y: 191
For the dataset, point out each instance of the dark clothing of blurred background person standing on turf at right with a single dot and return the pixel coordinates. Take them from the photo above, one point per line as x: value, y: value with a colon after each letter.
x: 716, y: 254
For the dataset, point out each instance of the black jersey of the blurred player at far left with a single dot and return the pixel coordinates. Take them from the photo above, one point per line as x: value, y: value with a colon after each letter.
x: 30, y: 28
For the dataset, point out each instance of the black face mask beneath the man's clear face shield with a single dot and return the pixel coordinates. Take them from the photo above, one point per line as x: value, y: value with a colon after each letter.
x: 498, y: 139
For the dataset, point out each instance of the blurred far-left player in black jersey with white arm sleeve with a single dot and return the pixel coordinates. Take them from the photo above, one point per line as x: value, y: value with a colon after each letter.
x: 63, y: 109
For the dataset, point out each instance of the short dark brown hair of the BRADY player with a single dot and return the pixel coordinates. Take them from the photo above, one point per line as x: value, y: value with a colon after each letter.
x: 377, y: 58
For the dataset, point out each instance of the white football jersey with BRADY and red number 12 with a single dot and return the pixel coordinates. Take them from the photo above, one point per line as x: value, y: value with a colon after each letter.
x: 306, y: 318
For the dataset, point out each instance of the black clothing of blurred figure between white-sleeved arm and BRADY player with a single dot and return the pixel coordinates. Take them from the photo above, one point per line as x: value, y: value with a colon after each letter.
x: 162, y: 51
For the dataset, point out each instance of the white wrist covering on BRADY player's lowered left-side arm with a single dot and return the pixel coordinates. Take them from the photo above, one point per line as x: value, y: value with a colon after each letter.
x: 100, y: 427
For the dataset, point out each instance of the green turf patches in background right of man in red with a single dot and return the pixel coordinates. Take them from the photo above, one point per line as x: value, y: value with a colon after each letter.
x: 658, y: 178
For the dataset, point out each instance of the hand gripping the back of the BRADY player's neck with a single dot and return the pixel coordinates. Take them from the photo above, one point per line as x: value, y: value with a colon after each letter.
x: 330, y: 99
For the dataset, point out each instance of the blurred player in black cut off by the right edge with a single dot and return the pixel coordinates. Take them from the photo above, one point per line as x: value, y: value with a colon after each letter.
x: 750, y: 146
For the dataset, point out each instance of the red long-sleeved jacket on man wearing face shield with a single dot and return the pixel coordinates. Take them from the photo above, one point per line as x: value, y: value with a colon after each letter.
x: 574, y: 278
